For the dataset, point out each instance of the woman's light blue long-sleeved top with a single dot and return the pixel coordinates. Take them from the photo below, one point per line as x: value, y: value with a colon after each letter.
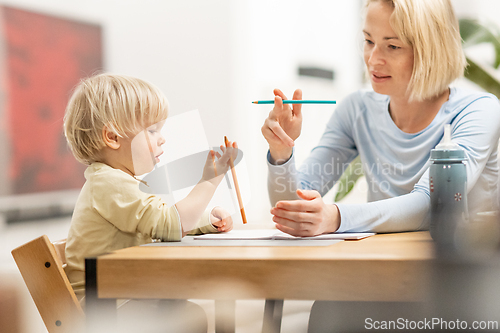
x: 396, y: 163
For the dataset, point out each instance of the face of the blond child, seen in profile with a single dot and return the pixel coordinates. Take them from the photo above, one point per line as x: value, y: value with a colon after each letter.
x: 146, y: 148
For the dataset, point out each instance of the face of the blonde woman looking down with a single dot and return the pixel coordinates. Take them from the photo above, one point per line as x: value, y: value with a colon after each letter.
x: 388, y: 60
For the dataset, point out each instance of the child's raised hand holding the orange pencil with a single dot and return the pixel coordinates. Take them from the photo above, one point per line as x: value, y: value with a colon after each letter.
x: 217, y: 165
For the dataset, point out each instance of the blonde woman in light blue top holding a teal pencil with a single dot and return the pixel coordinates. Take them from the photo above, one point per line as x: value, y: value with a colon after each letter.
x: 412, y: 52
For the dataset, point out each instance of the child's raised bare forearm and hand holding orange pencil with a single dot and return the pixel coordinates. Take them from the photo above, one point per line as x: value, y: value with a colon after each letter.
x: 191, y: 208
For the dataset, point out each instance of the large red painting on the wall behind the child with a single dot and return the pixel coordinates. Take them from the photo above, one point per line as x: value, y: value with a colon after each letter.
x: 45, y: 58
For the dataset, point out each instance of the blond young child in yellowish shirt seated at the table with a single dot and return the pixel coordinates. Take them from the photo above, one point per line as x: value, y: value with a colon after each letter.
x: 112, y: 124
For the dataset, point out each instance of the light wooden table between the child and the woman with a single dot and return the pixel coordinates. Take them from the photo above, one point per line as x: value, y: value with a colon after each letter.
x: 385, y: 267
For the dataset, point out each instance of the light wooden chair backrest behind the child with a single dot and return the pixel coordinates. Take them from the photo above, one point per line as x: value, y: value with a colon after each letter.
x: 41, y: 265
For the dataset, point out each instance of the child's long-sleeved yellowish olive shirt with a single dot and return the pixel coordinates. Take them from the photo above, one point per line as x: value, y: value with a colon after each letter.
x: 112, y: 213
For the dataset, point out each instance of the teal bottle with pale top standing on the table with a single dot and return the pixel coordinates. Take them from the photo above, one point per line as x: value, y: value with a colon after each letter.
x: 448, y: 192
